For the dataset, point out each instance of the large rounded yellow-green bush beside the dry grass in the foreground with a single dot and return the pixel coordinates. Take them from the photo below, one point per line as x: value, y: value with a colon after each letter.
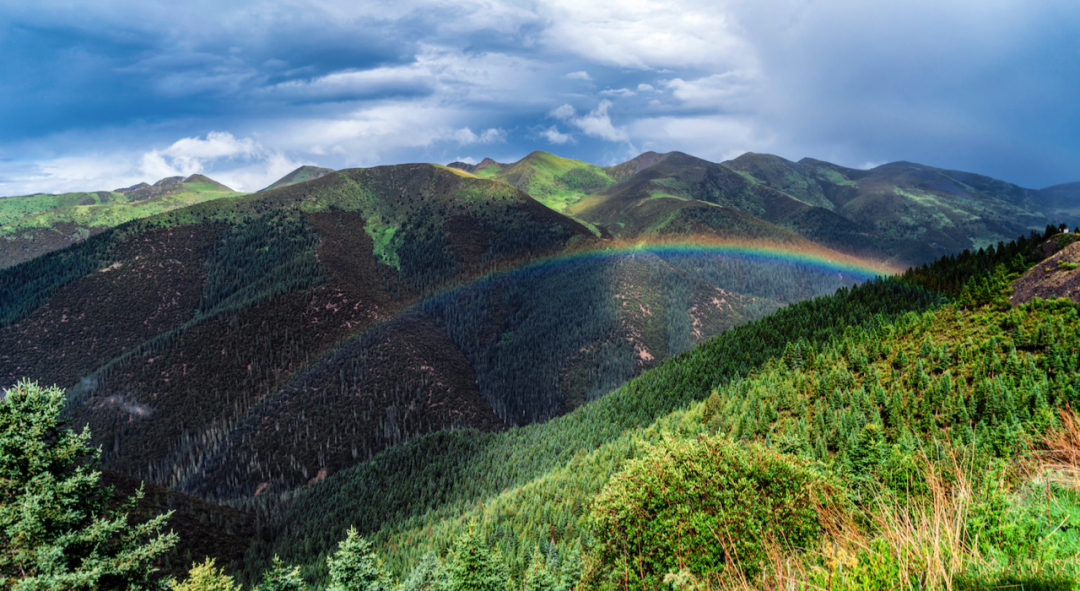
x: 701, y: 506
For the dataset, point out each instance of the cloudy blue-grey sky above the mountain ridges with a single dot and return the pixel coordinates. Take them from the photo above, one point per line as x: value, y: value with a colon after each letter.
x: 106, y: 95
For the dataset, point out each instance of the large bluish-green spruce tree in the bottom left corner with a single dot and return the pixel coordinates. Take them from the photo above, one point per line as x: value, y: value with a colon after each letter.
x: 58, y: 531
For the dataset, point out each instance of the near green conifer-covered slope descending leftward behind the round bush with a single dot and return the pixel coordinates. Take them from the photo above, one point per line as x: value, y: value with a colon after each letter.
x: 819, y: 373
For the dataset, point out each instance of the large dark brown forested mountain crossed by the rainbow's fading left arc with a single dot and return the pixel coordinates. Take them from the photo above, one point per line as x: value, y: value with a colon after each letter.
x: 263, y: 343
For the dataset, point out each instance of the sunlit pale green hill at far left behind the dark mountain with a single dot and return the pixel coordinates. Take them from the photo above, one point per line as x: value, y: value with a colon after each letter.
x: 34, y: 225
